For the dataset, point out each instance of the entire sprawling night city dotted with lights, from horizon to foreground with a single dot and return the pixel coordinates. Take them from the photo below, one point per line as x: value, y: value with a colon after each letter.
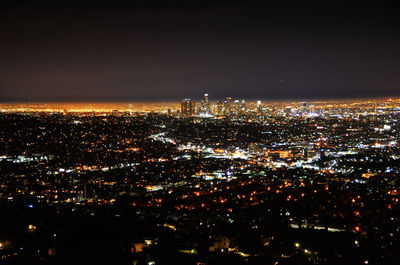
x: 201, y: 182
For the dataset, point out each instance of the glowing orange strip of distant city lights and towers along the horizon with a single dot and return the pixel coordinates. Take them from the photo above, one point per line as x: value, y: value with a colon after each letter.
x: 198, y: 107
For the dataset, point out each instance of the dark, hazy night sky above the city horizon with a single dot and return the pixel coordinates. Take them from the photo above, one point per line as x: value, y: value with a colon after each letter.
x: 166, y: 50
